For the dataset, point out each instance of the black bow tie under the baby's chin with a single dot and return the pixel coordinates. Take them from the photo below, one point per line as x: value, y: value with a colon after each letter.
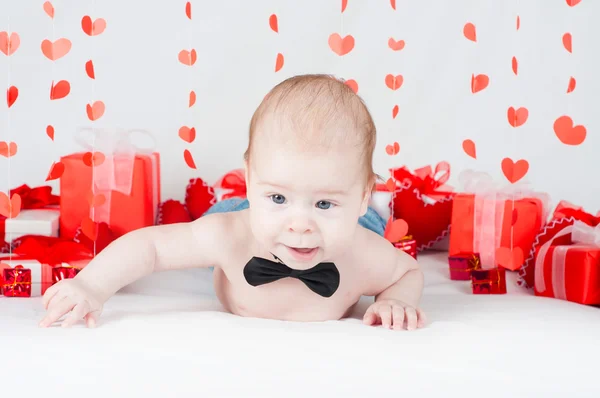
x: 323, y: 278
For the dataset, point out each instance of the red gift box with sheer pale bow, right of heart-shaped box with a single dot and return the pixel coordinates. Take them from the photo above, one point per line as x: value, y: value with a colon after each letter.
x: 499, y: 223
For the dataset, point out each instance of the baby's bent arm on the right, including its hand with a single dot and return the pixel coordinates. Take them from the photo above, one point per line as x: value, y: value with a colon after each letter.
x: 396, y: 281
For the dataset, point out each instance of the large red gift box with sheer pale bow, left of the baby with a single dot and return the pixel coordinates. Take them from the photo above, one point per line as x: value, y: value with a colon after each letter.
x: 115, y: 183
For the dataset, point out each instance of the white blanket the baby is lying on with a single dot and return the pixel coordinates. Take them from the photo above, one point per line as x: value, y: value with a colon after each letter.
x: 167, y: 336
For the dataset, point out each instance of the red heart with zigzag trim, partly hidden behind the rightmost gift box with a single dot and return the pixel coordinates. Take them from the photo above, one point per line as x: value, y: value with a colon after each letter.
x: 564, y: 216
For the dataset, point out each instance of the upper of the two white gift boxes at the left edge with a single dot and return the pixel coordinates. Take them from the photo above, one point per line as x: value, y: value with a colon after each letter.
x: 43, y: 222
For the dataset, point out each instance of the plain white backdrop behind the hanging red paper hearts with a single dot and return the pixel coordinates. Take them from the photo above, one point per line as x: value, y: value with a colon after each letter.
x: 143, y: 85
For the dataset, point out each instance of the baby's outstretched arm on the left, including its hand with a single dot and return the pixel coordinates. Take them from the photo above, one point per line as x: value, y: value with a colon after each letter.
x: 131, y: 257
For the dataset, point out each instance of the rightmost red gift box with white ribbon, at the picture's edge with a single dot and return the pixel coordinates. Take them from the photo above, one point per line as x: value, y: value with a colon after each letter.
x: 570, y: 272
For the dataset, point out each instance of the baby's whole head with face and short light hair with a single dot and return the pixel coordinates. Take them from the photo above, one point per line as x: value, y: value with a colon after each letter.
x: 309, y: 169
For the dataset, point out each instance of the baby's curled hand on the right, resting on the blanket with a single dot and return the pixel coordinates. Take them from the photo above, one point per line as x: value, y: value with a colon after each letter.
x: 392, y: 314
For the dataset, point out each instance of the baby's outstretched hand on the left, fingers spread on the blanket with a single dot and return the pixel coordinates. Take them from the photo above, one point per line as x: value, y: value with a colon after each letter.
x: 70, y: 295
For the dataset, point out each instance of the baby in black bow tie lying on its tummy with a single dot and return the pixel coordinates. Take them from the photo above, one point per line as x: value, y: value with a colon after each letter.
x: 305, y: 246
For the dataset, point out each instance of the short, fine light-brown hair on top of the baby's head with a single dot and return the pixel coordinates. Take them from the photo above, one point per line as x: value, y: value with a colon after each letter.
x: 322, y: 110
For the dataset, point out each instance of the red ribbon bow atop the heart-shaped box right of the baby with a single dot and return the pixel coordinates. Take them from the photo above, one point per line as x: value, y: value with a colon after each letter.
x: 427, y: 181
